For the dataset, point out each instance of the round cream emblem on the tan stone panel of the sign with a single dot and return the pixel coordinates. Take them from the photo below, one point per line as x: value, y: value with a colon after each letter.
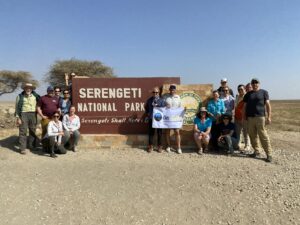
x: 192, y: 102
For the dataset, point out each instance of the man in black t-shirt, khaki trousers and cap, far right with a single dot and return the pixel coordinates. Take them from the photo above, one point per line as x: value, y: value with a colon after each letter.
x: 256, y: 105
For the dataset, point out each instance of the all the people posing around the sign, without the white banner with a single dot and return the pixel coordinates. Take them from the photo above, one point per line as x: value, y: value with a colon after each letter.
x: 219, y: 125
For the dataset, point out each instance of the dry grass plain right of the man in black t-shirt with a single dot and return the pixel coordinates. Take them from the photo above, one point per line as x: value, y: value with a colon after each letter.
x: 285, y: 115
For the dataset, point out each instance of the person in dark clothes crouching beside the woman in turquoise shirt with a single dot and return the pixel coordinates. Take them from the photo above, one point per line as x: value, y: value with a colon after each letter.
x: 227, y: 139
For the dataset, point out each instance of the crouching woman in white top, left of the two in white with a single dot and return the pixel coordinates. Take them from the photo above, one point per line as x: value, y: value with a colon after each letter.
x: 54, y: 140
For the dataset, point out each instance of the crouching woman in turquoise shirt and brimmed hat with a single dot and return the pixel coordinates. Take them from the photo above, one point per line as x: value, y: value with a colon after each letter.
x: 202, y: 127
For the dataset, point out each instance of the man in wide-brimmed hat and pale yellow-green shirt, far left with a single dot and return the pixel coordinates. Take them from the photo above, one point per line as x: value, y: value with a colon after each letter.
x: 26, y: 103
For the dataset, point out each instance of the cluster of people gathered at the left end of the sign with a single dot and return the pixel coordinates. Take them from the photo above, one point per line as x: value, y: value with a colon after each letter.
x: 60, y: 125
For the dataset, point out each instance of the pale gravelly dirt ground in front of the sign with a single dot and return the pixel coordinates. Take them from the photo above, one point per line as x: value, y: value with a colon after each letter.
x: 134, y: 187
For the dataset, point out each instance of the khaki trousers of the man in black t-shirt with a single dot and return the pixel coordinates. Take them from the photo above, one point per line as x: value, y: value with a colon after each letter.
x: 257, y: 130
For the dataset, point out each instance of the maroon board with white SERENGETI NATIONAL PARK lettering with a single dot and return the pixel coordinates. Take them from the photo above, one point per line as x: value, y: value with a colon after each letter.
x: 114, y: 105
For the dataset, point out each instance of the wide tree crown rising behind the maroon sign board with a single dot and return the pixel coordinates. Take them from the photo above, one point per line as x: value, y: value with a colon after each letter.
x: 56, y: 75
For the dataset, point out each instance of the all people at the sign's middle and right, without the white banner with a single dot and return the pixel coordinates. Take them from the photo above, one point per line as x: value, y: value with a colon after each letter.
x: 219, y: 126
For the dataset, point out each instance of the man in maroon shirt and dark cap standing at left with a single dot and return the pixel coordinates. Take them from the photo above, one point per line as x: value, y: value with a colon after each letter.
x: 47, y: 106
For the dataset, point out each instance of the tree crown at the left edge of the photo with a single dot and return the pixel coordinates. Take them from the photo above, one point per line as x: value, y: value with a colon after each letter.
x: 11, y: 81
